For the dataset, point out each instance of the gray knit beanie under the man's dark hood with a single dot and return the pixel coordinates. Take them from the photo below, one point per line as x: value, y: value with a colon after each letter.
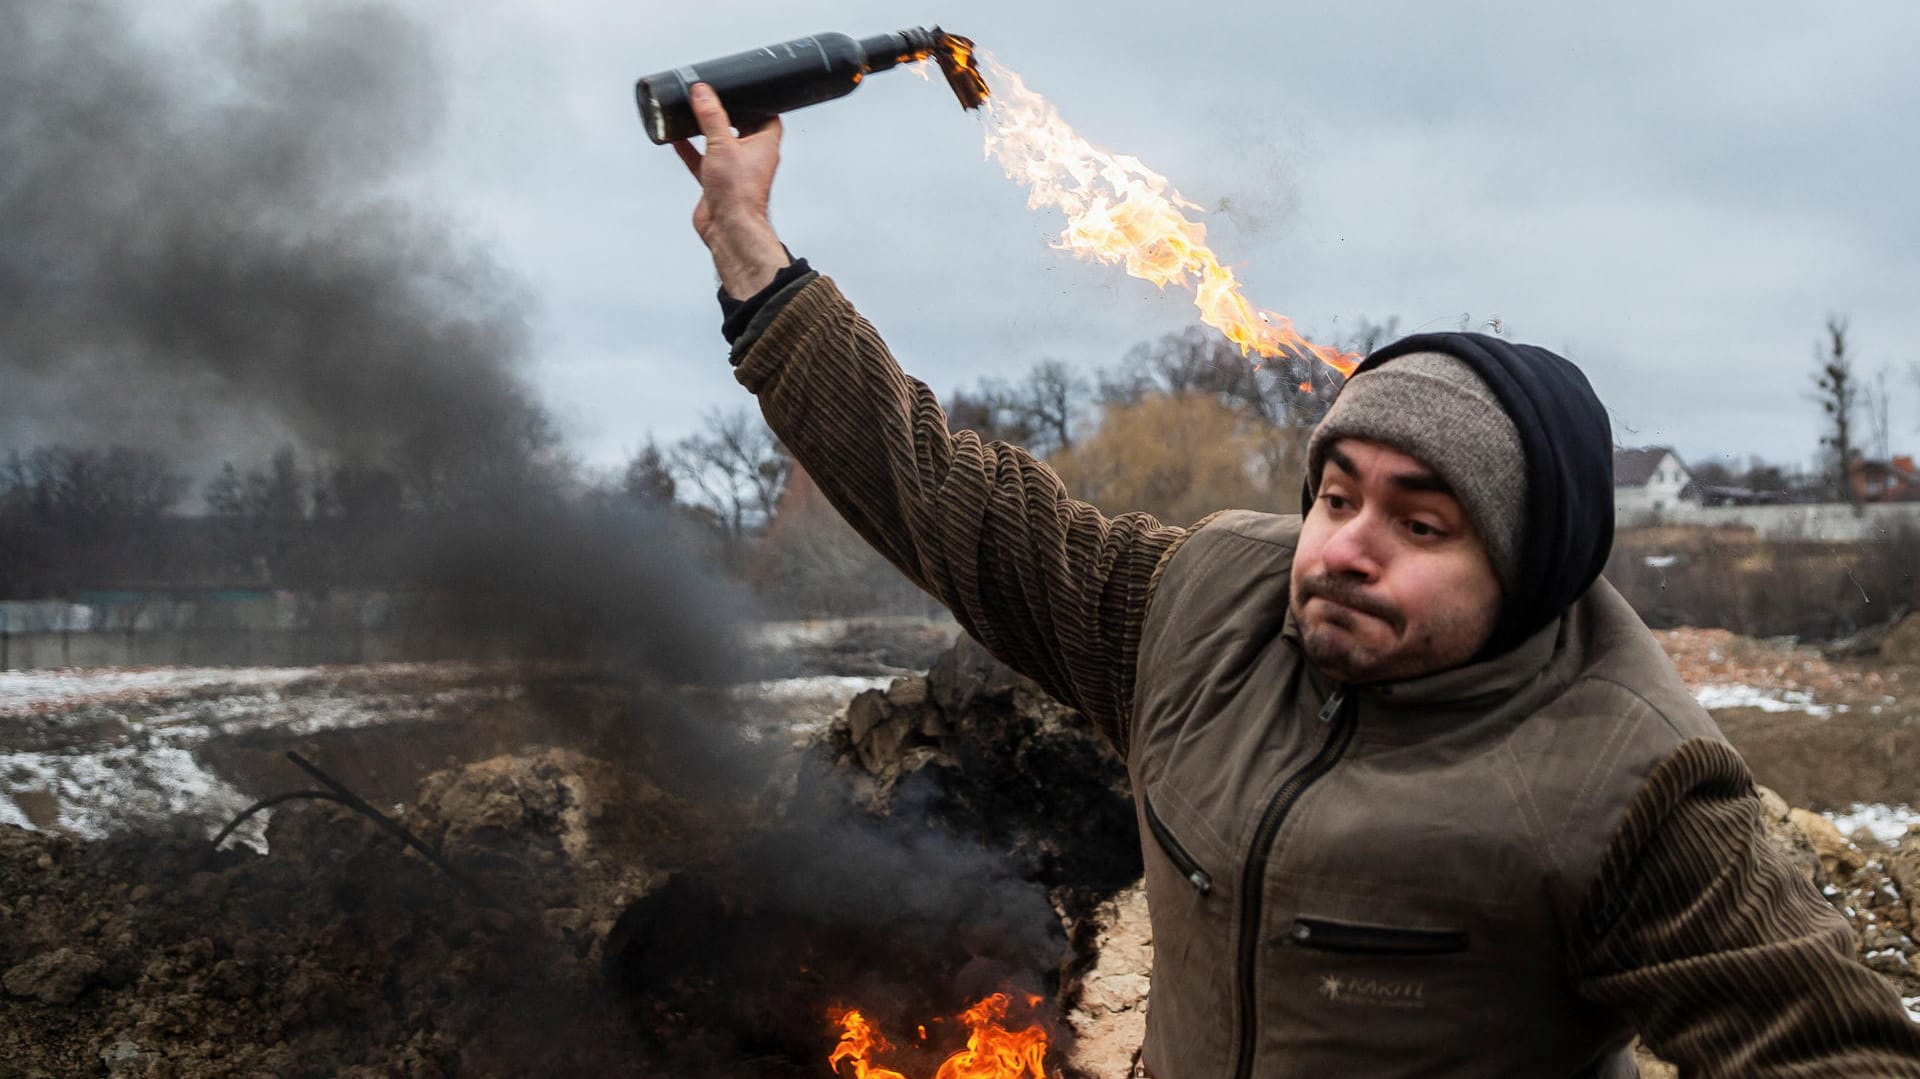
x: 1439, y: 412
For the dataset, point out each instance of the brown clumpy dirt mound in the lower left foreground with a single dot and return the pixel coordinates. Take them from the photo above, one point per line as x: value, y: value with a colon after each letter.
x: 339, y: 953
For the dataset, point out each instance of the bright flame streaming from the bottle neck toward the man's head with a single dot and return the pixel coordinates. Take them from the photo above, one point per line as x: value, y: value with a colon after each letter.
x: 1122, y: 212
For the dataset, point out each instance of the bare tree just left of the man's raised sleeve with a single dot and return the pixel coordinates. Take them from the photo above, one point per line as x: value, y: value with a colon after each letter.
x: 734, y: 469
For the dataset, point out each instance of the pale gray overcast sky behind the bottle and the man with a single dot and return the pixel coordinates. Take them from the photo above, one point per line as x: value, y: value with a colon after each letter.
x: 1673, y: 195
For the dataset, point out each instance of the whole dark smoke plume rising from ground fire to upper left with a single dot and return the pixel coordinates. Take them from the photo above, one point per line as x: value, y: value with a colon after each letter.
x: 210, y: 251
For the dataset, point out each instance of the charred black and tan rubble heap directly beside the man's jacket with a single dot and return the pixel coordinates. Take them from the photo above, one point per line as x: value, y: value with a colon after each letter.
x: 982, y: 752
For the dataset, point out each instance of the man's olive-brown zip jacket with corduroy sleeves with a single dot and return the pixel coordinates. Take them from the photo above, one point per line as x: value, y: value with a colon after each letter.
x: 1499, y: 871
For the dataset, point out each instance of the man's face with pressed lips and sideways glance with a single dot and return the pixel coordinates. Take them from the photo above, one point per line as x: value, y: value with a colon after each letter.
x: 1391, y: 579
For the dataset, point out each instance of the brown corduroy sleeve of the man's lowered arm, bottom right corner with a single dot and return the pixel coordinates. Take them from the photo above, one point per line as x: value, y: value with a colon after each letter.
x: 1723, y: 957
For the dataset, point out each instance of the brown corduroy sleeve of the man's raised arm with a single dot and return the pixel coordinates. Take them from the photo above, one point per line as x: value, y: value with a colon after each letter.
x: 1047, y: 583
